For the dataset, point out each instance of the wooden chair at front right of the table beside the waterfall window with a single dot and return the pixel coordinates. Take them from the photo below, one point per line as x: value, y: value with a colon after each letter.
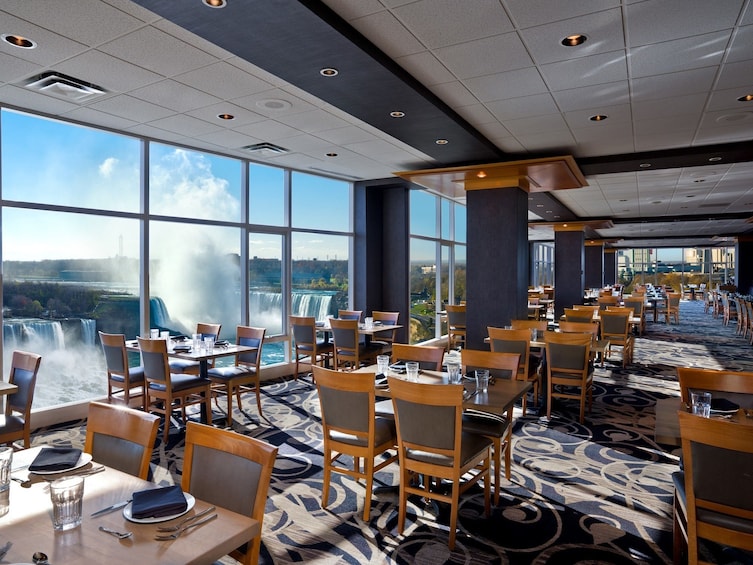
x: 246, y: 370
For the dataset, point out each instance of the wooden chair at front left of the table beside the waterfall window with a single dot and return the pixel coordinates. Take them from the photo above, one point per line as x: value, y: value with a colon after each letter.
x: 166, y: 391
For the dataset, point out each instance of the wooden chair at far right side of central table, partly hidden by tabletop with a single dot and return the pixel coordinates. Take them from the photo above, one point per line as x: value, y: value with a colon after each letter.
x: 497, y: 429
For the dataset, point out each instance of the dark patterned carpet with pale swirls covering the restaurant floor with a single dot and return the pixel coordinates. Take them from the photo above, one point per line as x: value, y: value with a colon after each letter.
x: 594, y: 493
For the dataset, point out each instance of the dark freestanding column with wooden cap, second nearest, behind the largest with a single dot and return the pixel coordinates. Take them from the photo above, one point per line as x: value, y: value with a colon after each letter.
x: 569, y: 280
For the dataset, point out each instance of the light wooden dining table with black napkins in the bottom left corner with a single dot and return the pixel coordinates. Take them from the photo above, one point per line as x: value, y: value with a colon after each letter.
x: 28, y: 524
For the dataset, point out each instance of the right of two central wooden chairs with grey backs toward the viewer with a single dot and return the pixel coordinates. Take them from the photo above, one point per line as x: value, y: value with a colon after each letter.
x: 441, y: 451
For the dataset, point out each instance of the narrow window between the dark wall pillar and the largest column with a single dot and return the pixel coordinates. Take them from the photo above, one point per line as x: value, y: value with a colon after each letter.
x: 437, y: 262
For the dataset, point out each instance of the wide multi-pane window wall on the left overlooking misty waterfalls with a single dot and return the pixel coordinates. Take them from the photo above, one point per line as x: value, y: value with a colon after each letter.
x: 82, y: 210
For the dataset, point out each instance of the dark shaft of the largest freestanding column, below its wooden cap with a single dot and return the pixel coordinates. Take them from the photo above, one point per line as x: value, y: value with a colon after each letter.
x: 497, y: 260
